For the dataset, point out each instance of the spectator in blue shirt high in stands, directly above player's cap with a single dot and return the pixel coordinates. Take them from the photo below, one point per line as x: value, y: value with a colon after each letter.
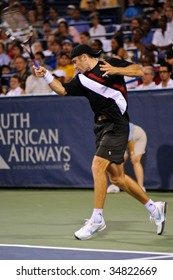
x: 78, y: 22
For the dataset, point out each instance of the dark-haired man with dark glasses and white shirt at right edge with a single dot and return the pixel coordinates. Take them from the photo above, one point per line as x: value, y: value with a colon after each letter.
x: 165, y: 76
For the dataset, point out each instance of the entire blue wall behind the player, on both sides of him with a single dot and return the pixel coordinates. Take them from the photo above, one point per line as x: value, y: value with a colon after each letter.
x: 48, y: 141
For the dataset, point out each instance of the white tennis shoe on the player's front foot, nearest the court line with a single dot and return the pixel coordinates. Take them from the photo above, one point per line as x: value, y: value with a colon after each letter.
x: 89, y: 229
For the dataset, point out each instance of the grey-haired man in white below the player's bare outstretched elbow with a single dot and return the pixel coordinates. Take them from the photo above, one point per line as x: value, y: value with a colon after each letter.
x: 147, y: 79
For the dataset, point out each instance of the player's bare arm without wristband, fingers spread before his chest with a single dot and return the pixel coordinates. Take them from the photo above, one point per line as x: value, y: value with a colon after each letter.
x: 133, y: 70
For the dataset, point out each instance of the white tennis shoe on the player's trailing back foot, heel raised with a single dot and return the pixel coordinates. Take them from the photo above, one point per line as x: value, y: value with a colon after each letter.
x: 159, y: 216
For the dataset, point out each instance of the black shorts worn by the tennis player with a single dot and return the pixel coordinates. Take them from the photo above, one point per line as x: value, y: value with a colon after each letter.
x: 111, y: 140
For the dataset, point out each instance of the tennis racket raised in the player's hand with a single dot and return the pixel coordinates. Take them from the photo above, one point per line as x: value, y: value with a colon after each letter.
x: 17, y: 29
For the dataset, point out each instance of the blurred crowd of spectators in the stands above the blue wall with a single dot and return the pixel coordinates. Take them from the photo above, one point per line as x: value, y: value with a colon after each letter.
x: 143, y: 36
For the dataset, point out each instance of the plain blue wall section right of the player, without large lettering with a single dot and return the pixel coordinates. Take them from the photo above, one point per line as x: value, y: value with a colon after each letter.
x: 153, y: 111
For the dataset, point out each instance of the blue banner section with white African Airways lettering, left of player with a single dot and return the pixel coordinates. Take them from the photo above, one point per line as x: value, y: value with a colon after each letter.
x: 46, y: 141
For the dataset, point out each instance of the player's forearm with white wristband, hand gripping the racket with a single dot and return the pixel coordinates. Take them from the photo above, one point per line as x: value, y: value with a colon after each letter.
x: 54, y: 84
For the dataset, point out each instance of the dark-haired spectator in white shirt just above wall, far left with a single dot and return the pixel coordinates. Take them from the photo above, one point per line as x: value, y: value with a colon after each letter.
x: 15, y: 88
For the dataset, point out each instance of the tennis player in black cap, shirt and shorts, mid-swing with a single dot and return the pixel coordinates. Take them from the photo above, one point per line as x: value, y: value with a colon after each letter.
x: 102, y: 83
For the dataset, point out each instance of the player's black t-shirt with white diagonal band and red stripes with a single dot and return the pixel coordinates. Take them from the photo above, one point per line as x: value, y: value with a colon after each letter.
x: 107, y: 95
